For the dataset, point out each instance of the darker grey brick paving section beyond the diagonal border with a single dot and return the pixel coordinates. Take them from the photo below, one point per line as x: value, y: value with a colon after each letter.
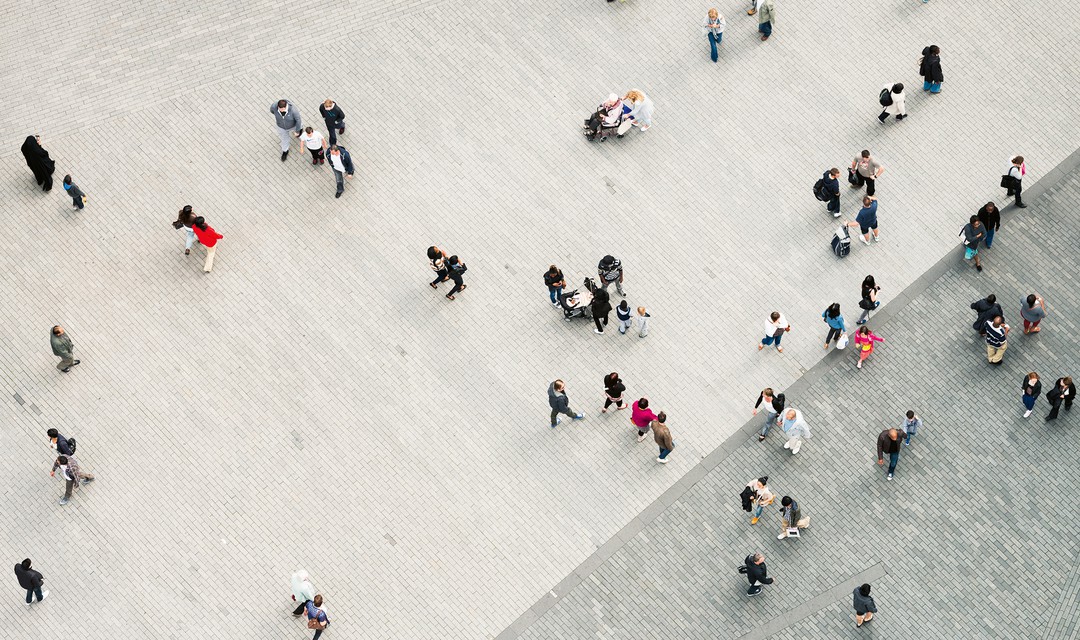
x: 976, y: 534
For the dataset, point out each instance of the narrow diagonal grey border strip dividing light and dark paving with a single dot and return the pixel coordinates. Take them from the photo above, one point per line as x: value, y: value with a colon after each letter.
x: 722, y: 453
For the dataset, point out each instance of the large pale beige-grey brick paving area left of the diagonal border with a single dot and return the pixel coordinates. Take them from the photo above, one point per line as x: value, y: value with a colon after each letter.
x: 313, y: 404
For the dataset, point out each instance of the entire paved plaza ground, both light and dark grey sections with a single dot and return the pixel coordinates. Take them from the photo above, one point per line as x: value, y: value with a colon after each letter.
x: 313, y: 403
